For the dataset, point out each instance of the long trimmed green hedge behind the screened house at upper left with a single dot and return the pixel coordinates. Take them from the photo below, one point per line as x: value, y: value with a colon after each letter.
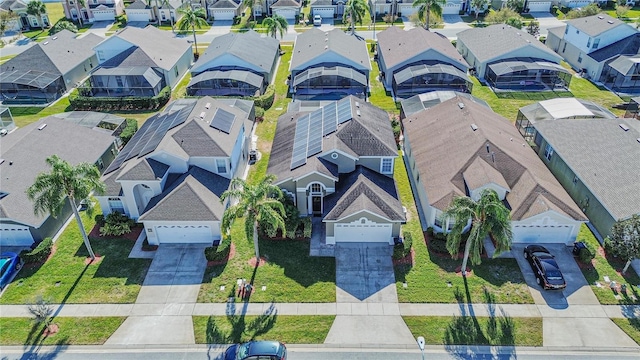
x: 86, y: 103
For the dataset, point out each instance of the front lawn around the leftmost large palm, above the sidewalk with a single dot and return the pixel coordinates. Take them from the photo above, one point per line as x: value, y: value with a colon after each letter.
x: 66, y: 278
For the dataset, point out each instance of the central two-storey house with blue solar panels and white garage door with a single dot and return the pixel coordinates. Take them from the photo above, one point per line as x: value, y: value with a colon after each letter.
x: 337, y: 163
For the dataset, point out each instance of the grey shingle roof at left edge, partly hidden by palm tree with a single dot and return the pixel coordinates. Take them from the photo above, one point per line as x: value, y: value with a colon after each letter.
x: 24, y: 152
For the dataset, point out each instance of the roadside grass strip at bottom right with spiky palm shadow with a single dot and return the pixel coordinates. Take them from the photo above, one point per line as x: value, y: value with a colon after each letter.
x: 458, y: 330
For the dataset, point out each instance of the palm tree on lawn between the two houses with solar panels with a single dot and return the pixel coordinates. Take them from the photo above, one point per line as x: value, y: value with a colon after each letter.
x: 257, y: 203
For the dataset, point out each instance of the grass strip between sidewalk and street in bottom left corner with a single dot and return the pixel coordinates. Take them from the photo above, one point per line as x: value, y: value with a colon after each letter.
x: 72, y: 331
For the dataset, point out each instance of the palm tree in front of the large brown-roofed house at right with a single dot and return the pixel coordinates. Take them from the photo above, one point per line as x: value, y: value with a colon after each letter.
x: 488, y: 216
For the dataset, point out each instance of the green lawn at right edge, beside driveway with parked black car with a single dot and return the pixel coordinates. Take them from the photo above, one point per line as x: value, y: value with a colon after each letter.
x: 606, y: 266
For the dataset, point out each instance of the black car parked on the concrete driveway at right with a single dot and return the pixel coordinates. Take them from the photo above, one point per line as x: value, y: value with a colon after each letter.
x: 544, y: 267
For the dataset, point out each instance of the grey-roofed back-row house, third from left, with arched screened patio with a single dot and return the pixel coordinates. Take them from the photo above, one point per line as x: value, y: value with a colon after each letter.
x: 235, y: 64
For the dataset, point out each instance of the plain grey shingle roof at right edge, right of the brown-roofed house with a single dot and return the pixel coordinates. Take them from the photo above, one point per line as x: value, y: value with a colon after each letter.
x: 604, y: 157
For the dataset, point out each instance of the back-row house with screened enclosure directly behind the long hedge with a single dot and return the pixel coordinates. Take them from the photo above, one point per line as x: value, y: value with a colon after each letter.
x: 139, y: 62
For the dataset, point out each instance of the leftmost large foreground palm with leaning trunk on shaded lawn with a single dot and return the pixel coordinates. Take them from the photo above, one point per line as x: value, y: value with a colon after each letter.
x: 65, y: 180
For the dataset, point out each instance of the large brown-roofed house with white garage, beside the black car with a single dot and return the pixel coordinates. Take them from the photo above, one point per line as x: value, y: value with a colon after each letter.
x: 460, y: 147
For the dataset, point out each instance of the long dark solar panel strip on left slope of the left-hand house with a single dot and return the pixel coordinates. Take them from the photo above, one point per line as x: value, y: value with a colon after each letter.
x: 147, y: 138
